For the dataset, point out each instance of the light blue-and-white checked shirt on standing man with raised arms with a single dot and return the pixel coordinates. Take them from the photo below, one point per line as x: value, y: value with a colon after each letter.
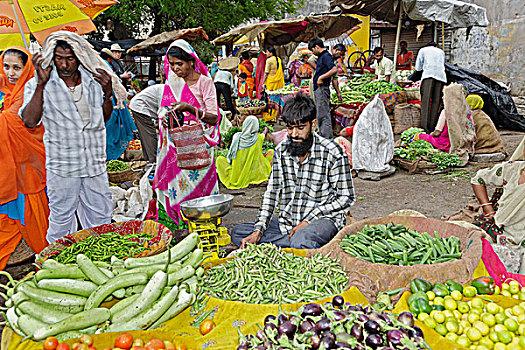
x: 73, y: 148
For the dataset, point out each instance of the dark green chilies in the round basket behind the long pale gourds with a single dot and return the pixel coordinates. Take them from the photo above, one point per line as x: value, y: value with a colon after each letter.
x: 102, y: 247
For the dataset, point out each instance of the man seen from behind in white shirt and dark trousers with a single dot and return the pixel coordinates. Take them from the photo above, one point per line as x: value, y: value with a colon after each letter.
x: 431, y: 60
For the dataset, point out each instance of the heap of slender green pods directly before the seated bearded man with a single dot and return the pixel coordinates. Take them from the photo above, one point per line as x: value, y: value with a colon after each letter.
x: 265, y: 274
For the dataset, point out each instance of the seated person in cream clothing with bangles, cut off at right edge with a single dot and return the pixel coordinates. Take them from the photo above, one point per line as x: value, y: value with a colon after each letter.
x: 503, y: 216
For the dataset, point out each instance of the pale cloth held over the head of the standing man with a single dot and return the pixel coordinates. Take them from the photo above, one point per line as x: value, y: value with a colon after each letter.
x: 88, y: 57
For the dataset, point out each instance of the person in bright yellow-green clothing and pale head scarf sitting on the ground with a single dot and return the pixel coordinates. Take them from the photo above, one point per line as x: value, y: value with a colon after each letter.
x: 245, y: 163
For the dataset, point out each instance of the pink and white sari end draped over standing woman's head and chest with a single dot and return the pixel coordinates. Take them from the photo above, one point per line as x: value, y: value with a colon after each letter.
x: 176, y: 89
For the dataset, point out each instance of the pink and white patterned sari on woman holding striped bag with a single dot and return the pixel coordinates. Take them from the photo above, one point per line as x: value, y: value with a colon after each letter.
x: 172, y: 184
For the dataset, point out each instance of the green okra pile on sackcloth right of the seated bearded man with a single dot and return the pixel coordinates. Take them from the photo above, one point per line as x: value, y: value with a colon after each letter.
x: 397, y: 245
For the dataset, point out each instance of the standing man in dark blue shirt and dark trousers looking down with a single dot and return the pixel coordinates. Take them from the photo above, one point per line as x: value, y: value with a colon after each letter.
x: 324, y: 71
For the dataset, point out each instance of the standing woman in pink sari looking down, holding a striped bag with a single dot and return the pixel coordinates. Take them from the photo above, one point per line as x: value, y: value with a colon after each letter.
x: 189, y: 89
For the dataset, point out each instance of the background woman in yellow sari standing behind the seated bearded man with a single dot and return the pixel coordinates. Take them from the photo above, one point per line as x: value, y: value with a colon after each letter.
x: 274, y: 80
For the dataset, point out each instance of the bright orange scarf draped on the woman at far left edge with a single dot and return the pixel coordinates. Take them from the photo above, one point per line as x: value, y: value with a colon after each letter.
x: 22, y: 153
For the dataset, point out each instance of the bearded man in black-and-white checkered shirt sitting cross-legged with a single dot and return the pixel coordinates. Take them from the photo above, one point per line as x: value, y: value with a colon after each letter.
x: 311, y: 184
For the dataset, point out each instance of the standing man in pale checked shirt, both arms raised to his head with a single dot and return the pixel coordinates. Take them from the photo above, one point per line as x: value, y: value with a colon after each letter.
x: 73, y: 105
